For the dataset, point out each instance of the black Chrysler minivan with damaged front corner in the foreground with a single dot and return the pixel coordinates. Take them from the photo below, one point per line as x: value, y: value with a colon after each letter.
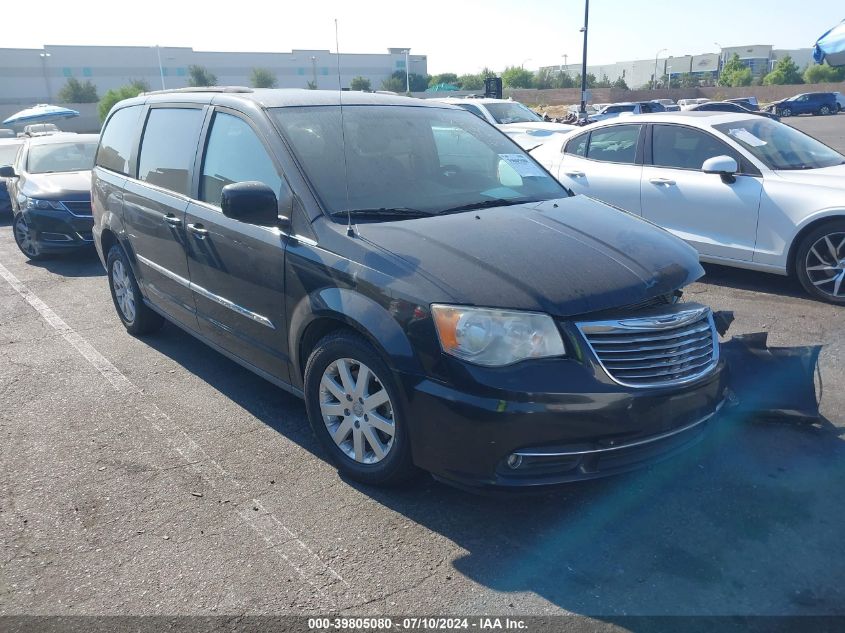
x: 436, y: 297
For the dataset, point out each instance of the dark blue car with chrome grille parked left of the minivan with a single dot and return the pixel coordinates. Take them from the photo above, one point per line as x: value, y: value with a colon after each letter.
x: 50, y: 191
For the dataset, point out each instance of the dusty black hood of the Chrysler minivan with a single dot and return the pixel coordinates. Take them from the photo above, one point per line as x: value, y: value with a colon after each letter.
x: 562, y: 257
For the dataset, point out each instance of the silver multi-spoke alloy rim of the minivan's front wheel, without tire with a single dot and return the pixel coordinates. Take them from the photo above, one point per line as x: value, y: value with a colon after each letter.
x: 357, y: 411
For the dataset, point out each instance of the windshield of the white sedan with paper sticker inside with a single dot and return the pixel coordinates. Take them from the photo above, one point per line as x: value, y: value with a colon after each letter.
x: 780, y: 146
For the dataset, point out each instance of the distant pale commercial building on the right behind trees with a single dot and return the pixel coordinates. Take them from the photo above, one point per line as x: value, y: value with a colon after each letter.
x: 705, y: 67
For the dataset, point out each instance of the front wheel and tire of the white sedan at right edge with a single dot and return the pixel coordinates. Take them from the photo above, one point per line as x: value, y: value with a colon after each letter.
x: 820, y: 262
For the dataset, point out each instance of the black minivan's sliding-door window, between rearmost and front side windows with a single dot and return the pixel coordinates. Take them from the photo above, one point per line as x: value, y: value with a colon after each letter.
x: 168, y: 148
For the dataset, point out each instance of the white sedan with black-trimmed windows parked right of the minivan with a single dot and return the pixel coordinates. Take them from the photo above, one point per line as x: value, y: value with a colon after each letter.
x: 743, y: 190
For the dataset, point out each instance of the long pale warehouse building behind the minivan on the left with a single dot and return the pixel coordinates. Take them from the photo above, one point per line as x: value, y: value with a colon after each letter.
x: 36, y: 75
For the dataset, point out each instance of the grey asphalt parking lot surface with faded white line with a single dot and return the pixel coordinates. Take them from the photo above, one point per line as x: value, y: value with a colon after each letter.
x: 154, y: 476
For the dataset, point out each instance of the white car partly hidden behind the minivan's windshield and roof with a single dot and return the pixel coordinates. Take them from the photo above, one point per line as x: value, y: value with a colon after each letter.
x: 524, y: 126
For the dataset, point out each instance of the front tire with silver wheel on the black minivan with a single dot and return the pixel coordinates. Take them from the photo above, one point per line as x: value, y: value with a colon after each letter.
x: 356, y: 412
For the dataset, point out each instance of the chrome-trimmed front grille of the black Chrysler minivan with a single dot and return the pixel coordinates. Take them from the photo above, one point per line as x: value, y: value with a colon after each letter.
x: 655, y: 351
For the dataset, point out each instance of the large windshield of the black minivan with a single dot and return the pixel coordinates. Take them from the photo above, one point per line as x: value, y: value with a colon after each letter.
x: 410, y: 159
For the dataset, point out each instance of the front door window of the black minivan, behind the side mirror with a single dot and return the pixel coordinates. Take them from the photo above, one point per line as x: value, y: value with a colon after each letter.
x: 234, y: 154
